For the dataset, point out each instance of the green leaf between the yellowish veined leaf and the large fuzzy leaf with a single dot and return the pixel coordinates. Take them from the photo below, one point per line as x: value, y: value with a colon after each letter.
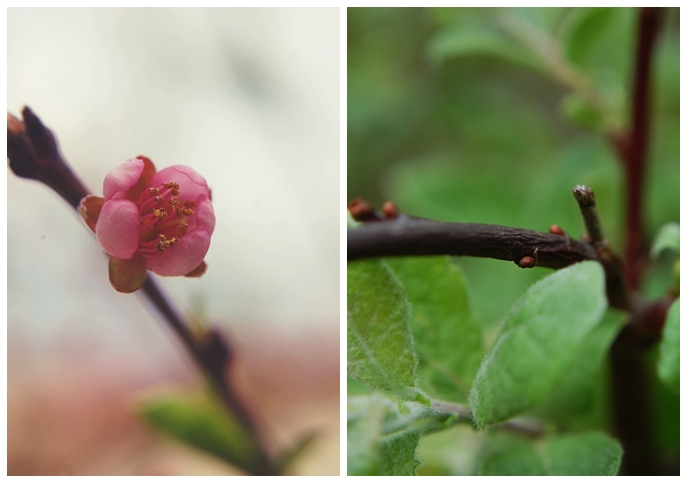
x: 447, y: 339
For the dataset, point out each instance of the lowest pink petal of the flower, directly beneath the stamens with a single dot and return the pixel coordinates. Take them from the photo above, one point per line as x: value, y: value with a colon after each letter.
x: 183, y: 257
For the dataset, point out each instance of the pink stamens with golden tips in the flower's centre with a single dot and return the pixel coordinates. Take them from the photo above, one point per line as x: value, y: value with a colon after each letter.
x: 163, y: 217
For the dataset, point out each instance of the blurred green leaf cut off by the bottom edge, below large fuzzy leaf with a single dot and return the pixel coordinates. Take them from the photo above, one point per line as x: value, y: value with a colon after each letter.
x: 583, y: 454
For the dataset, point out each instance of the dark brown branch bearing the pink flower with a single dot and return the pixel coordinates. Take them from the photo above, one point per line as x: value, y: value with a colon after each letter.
x: 33, y: 153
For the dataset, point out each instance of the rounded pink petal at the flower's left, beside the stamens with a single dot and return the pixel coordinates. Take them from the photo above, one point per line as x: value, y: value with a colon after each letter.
x: 118, y: 228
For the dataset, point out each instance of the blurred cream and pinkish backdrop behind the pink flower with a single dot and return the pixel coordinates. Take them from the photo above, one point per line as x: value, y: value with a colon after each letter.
x: 250, y: 99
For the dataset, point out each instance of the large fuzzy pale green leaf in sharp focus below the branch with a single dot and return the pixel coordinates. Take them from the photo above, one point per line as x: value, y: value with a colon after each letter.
x: 536, y: 342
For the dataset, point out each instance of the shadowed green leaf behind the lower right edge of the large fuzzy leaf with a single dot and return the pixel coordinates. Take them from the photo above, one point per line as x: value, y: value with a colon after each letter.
x: 575, y: 393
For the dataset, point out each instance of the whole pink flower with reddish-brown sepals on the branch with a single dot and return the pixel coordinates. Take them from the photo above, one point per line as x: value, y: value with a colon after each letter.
x: 151, y: 221
